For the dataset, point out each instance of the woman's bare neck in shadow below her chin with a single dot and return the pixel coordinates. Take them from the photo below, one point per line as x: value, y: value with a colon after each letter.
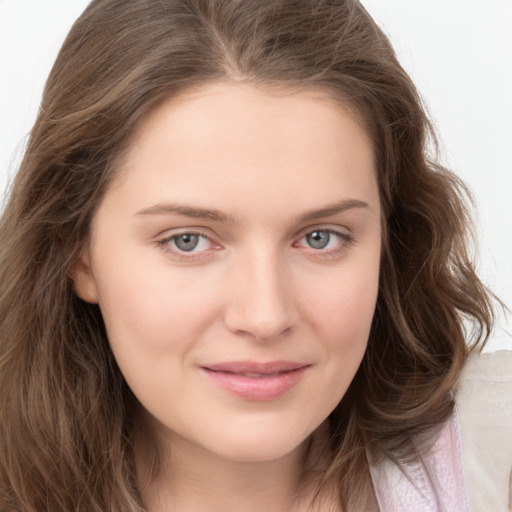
x: 192, y: 479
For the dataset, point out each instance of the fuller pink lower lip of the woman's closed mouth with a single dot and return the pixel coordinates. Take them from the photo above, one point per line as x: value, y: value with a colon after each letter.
x: 257, y: 388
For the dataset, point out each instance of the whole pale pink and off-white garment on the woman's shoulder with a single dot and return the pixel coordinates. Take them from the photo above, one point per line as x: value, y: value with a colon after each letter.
x: 468, y: 464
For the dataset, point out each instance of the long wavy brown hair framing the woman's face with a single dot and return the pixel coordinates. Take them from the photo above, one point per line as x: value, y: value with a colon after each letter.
x: 65, y: 410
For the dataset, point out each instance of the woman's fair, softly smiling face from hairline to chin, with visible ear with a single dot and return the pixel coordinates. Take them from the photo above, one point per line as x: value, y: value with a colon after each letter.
x: 235, y: 260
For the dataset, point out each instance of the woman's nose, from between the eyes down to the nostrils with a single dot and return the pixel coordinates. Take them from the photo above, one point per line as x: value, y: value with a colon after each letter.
x: 261, y: 303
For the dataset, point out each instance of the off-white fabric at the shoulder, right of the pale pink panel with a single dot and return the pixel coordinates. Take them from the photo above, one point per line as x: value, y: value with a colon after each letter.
x: 484, y: 405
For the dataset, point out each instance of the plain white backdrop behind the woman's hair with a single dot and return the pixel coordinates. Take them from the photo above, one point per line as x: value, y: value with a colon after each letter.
x: 459, y: 53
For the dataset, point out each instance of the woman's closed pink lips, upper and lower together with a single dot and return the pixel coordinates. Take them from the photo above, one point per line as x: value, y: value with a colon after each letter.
x: 256, y: 381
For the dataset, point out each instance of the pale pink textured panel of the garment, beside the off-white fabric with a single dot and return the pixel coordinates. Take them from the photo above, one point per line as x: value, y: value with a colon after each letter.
x: 434, y: 483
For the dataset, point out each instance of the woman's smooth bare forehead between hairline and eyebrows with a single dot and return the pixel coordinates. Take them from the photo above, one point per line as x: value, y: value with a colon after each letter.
x: 238, y: 142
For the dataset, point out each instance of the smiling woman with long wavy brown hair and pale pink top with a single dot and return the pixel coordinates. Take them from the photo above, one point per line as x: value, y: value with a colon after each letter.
x: 232, y: 276
